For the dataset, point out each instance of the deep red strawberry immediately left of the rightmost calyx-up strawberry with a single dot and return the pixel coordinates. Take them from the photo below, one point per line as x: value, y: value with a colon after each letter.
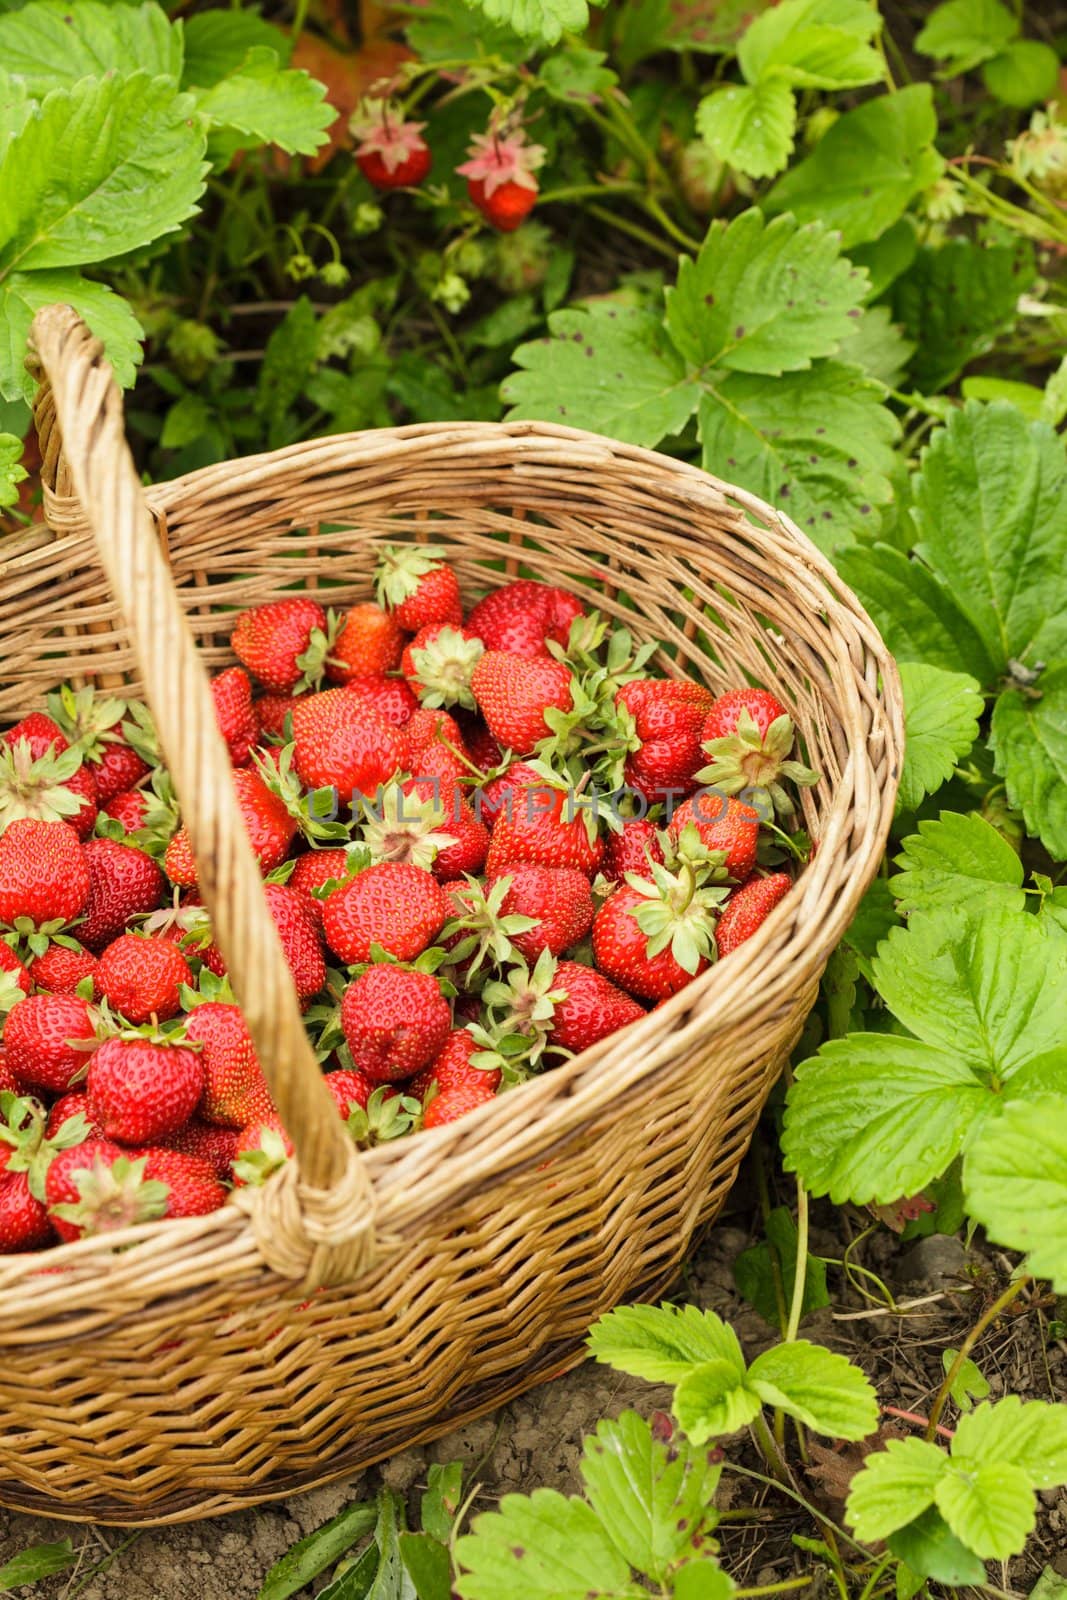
x: 668, y: 721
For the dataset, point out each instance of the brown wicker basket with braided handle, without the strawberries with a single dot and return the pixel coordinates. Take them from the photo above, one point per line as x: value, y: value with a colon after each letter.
x: 358, y: 1305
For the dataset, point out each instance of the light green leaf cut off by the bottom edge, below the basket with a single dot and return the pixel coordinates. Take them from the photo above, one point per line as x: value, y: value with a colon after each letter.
x: 543, y: 1548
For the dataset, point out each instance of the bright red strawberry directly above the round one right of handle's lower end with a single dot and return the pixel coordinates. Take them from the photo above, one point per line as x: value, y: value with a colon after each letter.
x: 393, y: 903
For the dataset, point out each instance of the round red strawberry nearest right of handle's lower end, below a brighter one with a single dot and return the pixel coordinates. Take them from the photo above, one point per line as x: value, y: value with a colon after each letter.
x: 394, y: 1022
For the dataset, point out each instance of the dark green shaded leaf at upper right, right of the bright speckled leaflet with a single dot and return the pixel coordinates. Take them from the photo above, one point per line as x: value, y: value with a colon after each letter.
x: 954, y: 300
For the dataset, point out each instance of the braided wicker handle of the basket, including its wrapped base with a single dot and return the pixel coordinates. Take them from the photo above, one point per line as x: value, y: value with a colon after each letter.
x: 316, y: 1220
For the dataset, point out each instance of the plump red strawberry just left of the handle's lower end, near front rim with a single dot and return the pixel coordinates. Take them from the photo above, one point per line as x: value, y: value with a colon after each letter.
x: 140, y: 1090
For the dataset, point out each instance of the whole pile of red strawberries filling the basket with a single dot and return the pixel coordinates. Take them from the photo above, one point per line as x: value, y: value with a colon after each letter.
x: 487, y: 842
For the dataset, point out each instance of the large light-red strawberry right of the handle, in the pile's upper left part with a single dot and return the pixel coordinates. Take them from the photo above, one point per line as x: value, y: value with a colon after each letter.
x: 343, y: 745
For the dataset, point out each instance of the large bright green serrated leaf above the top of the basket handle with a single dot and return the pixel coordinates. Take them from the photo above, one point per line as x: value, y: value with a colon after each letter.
x: 102, y: 169
